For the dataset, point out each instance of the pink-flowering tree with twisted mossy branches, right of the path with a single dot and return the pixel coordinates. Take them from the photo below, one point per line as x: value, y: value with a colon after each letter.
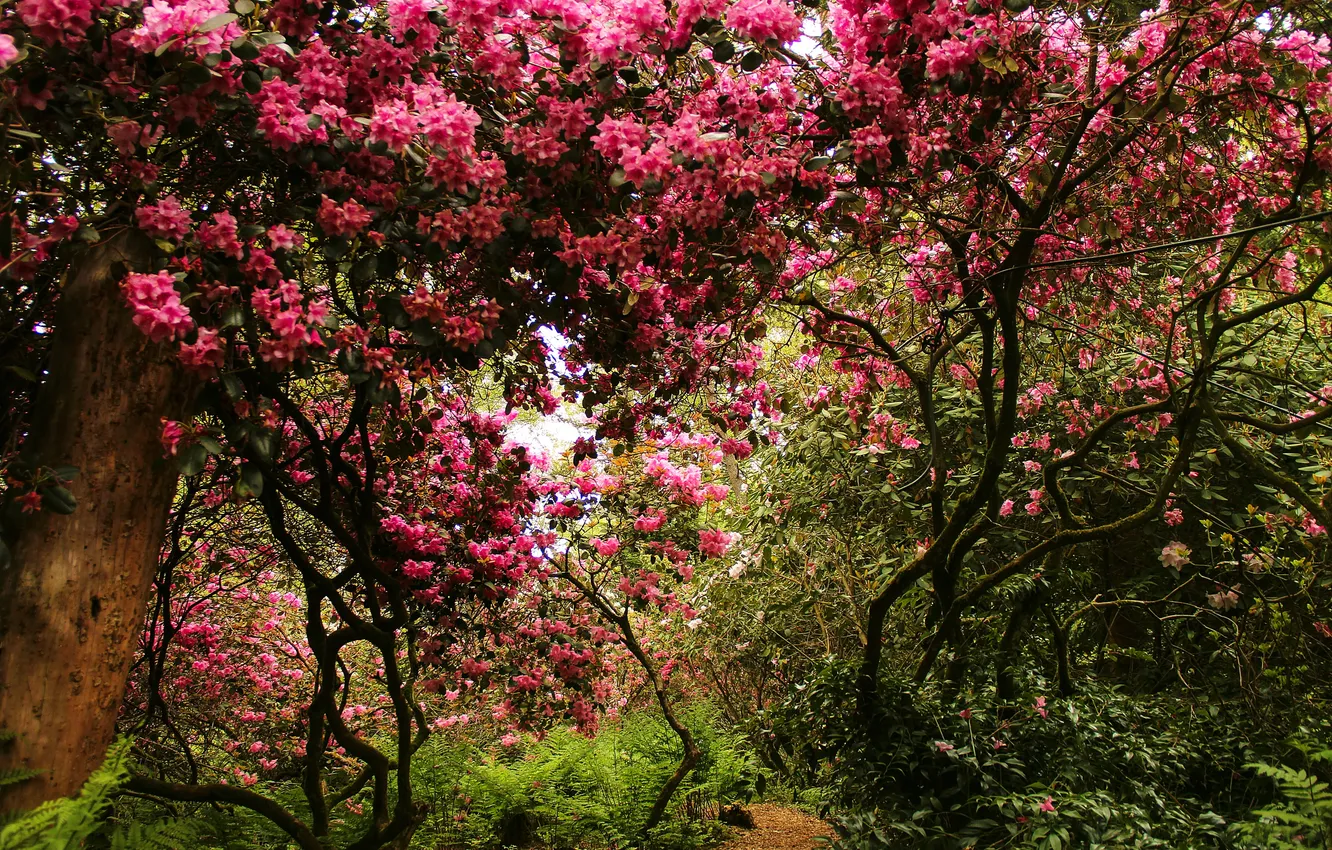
x: 1081, y: 275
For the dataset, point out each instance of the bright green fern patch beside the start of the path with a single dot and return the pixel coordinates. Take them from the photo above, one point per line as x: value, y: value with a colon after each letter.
x: 568, y: 792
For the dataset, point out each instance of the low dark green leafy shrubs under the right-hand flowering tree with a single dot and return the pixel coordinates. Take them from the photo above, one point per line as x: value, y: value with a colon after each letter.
x: 1118, y: 769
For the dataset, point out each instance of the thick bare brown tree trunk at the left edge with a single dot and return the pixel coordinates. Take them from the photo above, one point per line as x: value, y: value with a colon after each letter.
x: 73, y: 600
